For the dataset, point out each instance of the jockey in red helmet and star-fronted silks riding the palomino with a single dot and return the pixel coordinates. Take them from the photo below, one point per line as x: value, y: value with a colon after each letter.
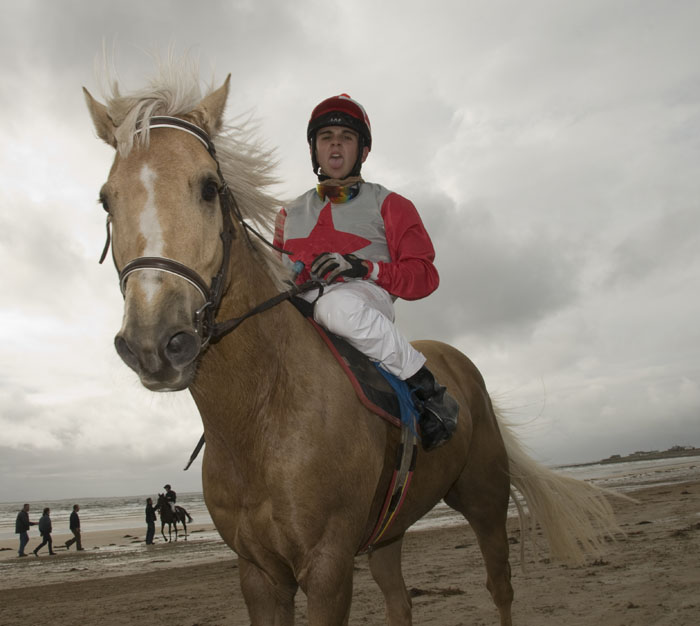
x: 369, y: 246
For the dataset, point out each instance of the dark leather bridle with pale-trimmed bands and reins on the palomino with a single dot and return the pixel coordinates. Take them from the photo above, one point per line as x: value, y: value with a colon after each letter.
x: 204, y: 321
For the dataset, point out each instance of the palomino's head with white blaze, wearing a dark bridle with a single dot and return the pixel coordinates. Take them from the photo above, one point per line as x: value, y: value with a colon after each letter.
x: 164, y: 199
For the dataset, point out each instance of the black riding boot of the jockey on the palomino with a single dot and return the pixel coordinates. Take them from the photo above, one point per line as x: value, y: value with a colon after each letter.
x: 438, y: 409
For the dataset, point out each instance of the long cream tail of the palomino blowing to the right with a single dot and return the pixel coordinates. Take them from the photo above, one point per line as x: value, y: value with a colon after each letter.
x: 574, y: 516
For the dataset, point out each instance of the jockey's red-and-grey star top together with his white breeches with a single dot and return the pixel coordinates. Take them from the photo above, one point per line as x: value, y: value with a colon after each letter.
x: 385, y: 229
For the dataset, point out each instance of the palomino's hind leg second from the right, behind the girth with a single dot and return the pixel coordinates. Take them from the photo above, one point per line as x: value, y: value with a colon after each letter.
x: 385, y: 565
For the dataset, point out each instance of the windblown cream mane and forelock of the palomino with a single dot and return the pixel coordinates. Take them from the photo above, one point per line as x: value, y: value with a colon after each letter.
x: 247, y: 165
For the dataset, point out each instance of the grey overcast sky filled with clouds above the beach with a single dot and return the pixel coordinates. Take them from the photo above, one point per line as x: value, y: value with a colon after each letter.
x: 552, y: 148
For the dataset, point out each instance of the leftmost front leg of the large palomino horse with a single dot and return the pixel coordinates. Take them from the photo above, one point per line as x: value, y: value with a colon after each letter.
x: 268, y: 603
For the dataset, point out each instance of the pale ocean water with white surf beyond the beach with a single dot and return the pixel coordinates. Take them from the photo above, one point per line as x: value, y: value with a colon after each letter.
x: 126, y: 512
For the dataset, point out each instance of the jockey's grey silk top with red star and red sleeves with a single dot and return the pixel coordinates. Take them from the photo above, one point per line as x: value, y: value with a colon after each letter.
x: 377, y: 225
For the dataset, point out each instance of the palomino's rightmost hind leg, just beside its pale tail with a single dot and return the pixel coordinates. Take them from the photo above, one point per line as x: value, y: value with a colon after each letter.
x: 481, y: 494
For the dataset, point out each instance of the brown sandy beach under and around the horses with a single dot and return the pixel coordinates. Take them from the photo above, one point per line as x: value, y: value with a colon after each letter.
x: 649, y: 577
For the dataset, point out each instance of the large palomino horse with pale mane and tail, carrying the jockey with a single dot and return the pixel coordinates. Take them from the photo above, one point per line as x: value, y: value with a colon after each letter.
x: 294, y: 470
